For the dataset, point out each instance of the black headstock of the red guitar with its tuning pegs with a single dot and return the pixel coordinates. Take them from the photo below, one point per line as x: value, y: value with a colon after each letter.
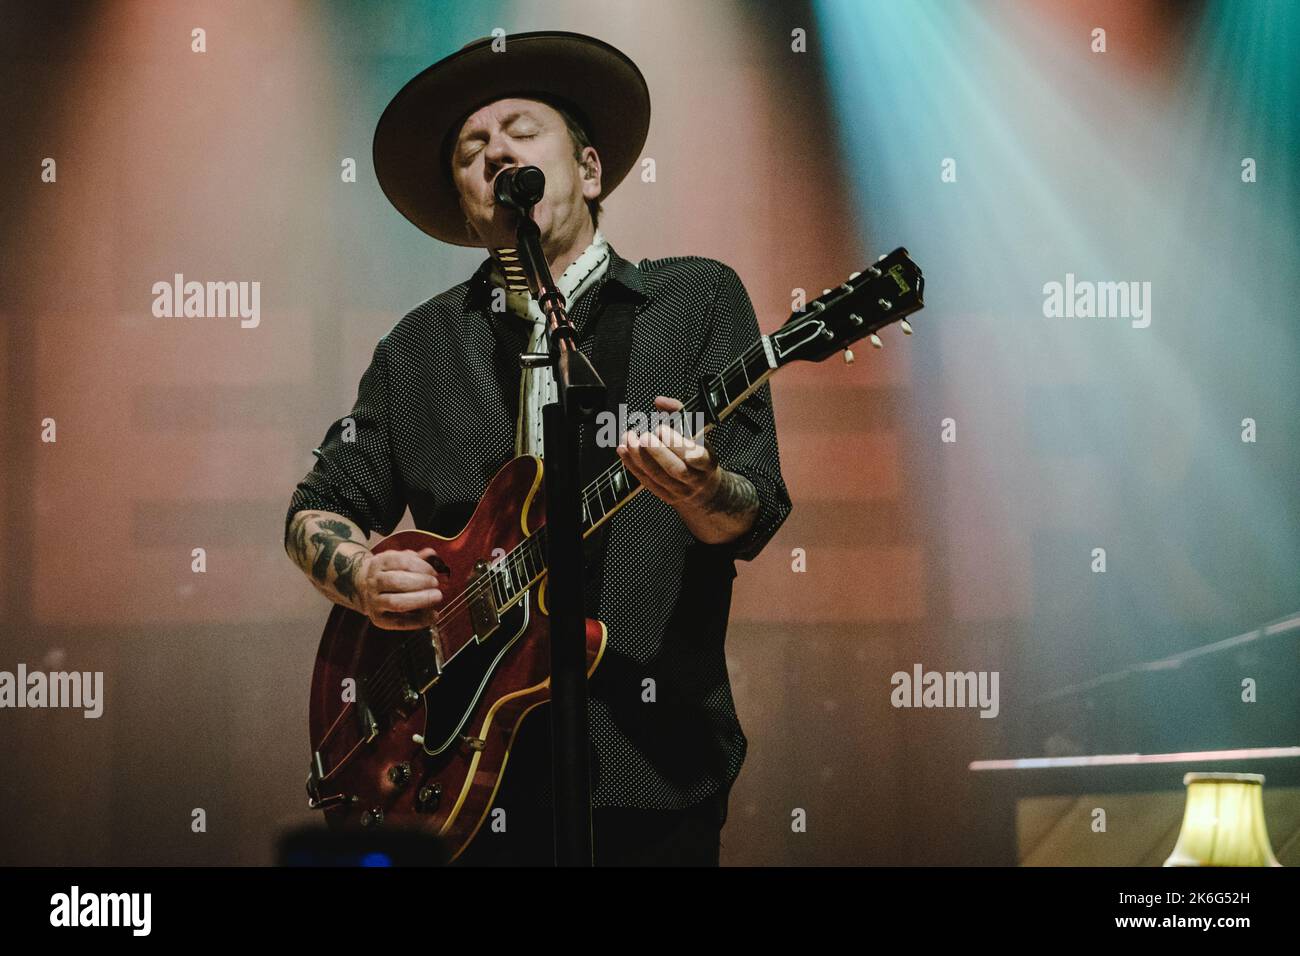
x: 885, y: 293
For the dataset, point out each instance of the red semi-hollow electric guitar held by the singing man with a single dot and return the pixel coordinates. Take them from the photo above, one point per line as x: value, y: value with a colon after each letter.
x: 414, y: 728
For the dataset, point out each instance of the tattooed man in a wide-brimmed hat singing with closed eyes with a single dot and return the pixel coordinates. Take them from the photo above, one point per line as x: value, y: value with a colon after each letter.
x: 445, y: 405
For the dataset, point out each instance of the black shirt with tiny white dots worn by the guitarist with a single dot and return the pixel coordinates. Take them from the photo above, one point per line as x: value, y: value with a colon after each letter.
x: 435, y: 421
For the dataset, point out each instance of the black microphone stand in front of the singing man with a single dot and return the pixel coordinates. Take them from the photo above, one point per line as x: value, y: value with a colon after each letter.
x: 582, y: 396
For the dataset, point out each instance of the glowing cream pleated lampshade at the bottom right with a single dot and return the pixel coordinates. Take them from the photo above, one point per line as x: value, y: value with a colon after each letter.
x: 1224, y: 823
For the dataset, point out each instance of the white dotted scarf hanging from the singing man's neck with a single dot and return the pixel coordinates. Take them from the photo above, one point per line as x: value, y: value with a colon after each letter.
x: 538, y: 386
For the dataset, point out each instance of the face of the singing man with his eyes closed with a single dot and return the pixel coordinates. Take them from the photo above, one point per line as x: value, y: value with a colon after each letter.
x: 523, y: 133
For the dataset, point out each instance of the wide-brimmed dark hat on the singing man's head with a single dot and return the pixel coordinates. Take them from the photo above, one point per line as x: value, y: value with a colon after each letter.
x: 600, y: 86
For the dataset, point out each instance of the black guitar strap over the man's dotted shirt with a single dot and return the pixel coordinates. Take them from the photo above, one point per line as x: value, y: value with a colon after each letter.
x: 612, y: 354
